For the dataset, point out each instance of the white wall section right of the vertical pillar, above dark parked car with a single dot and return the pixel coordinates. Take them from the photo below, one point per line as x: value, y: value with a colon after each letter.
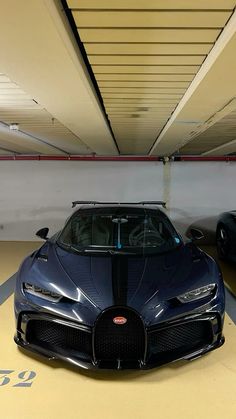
x: 200, y: 191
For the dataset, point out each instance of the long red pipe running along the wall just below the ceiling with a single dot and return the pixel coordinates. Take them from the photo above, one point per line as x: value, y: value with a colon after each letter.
x: 21, y: 157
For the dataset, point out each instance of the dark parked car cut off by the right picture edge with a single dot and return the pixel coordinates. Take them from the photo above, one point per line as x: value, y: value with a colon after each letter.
x: 226, y: 236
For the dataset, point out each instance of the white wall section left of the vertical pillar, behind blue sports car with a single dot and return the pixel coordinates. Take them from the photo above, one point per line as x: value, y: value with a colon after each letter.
x: 36, y: 194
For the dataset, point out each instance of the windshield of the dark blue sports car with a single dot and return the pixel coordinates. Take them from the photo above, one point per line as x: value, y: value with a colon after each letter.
x: 123, y: 230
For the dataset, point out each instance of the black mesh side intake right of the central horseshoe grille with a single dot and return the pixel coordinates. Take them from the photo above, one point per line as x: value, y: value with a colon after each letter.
x: 181, y: 339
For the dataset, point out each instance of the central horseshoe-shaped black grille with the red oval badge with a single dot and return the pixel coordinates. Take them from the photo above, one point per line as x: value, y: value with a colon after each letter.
x: 119, y: 341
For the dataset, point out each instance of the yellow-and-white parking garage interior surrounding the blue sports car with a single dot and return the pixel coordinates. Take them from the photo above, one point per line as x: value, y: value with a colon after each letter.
x: 115, y: 101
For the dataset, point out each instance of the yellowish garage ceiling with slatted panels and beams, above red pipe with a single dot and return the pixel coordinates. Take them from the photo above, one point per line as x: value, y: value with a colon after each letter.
x: 107, y: 77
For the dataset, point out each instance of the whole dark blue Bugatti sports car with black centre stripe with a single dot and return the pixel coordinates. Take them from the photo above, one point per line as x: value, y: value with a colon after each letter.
x: 119, y: 288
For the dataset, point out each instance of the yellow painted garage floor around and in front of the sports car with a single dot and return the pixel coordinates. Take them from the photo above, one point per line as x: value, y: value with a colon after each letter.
x: 31, y: 387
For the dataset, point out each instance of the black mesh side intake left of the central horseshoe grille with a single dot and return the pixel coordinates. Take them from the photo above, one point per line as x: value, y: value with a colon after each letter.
x: 58, y: 337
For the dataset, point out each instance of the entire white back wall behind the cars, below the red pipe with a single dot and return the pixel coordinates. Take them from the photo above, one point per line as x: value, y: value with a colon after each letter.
x: 35, y: 194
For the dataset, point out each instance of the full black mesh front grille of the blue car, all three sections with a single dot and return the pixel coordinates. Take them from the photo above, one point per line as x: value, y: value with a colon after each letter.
x: 123, y: 342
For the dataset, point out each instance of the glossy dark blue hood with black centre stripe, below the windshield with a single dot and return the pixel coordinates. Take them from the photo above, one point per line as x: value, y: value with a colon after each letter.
x: 95, y: 282
